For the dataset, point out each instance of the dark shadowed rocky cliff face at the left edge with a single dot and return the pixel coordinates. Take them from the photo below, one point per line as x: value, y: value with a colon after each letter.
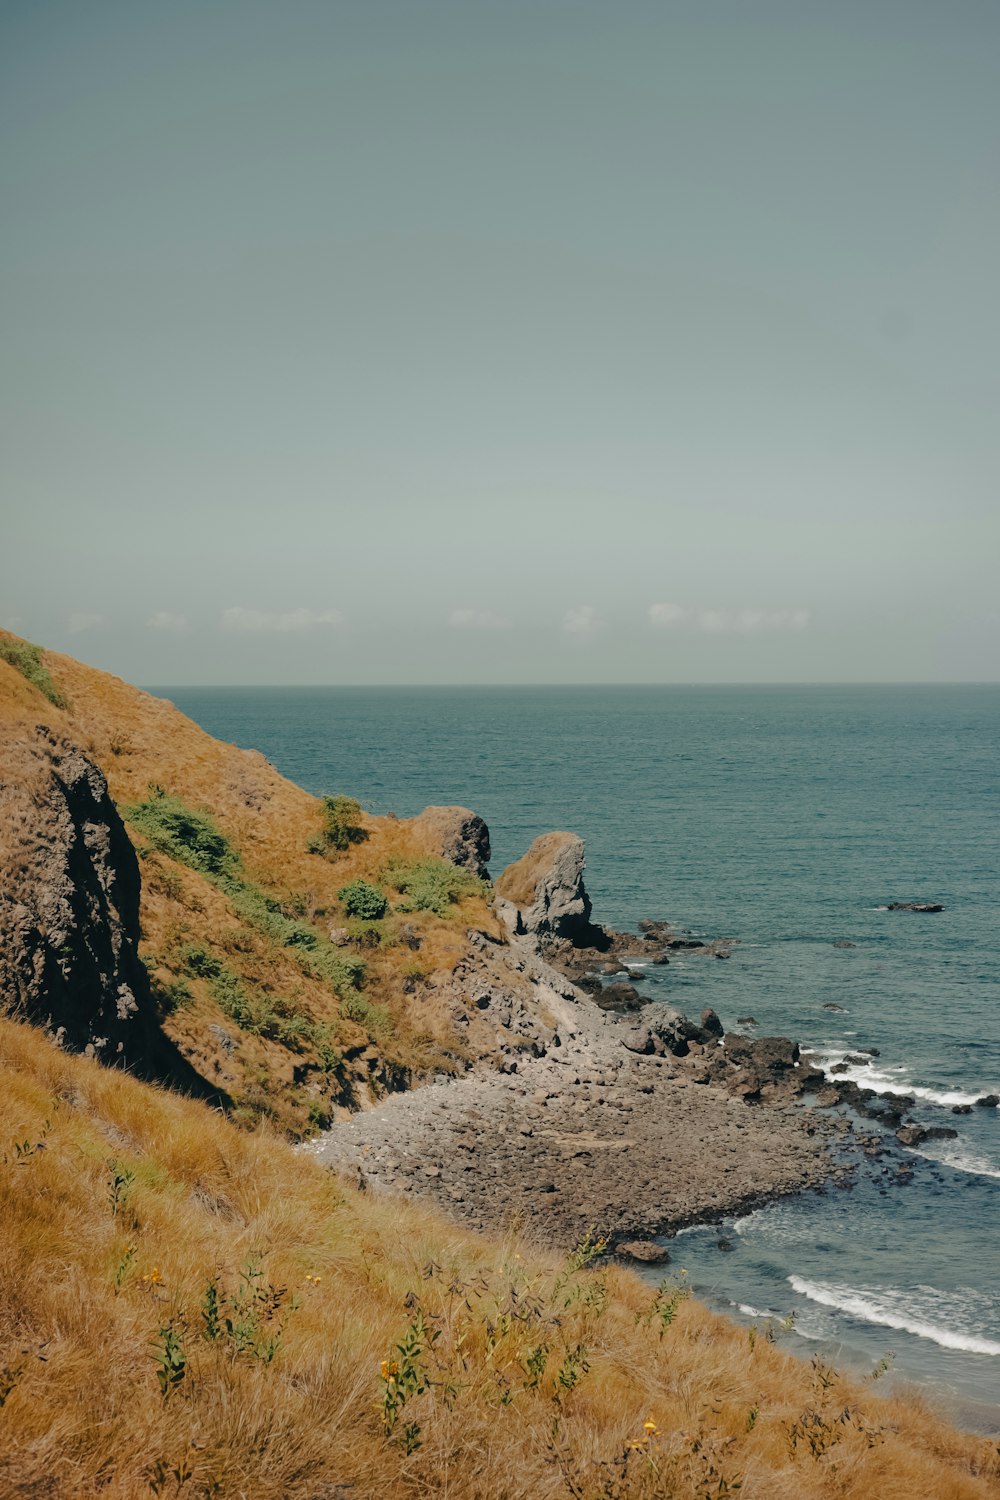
x: 70, y: 901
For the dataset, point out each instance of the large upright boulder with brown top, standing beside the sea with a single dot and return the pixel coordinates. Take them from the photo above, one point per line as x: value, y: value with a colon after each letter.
x: 543, y: 895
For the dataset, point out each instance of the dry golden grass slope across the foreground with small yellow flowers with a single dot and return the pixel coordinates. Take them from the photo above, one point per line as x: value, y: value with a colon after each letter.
x: 539, y: 1378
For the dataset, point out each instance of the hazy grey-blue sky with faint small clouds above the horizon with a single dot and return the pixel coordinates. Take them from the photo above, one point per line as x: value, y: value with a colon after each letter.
x: 482, y: 341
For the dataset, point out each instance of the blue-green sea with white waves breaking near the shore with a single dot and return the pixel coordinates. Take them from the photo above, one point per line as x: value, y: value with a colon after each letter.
x: 786, y: 818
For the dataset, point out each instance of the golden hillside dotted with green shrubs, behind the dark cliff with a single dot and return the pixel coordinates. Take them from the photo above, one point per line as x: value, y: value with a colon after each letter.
x: 242, y: 874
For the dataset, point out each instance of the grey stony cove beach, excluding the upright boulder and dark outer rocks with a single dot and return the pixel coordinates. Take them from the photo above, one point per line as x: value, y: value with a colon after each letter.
x: 588, y: 1123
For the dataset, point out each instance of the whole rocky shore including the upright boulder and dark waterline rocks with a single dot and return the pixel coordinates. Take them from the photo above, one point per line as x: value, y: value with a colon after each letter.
x: 599, y: 1111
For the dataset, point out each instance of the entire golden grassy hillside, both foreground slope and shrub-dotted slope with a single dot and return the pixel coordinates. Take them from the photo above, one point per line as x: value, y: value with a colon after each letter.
x: 191, y: 1307
